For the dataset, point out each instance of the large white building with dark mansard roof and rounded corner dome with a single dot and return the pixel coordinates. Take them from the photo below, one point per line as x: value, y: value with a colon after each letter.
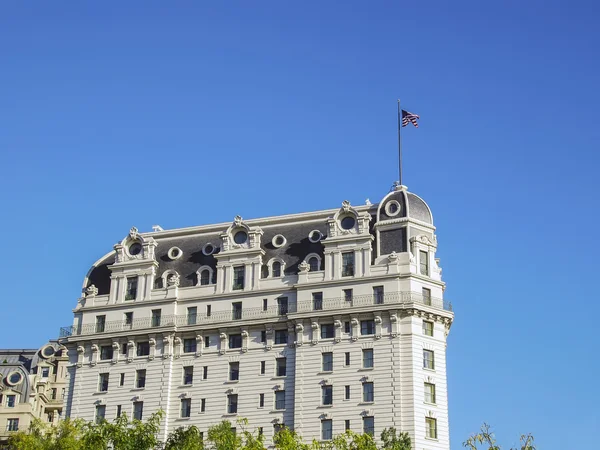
x: 321, y: 321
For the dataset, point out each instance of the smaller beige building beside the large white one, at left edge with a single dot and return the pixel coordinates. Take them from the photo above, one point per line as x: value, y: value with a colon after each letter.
x: 32, y: 385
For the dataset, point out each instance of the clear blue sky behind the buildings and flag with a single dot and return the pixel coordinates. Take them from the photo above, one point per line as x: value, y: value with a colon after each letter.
x: 115, y: 114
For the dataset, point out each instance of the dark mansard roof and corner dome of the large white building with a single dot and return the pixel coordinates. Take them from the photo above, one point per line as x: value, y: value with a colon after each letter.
x: 295, y: 228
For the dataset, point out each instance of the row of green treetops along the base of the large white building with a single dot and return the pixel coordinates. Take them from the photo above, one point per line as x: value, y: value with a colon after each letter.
x: 125, y: 434
